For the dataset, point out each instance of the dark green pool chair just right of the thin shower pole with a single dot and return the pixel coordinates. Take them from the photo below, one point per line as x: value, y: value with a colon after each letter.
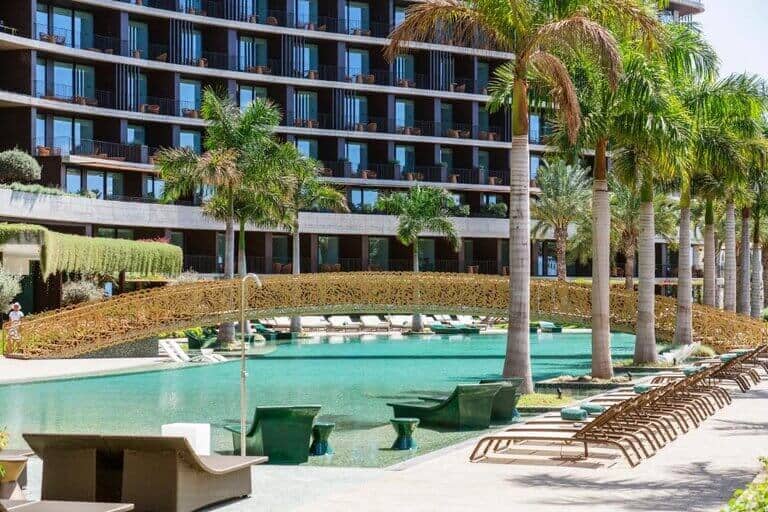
x: 280, y: 432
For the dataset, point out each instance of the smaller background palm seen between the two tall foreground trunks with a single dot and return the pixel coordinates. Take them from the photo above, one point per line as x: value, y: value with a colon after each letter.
x: 565, y: 197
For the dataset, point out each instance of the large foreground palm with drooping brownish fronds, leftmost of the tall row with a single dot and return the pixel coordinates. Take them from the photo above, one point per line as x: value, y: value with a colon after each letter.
x: 538, y: 33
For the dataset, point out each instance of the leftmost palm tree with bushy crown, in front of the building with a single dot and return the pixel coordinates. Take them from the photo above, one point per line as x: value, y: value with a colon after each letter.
x: 234, y: 141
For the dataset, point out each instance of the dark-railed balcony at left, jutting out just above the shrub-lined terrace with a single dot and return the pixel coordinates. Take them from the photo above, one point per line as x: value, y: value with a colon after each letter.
x: 135, y: 153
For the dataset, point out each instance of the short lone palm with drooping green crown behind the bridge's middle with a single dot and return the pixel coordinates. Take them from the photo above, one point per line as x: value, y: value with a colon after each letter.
x: 422, y: 209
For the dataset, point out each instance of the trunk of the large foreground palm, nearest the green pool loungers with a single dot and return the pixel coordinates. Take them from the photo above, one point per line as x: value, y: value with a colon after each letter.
x: 517, y: 361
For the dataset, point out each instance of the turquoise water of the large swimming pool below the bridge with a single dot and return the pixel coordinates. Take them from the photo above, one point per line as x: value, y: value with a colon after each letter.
x: 352, y: 378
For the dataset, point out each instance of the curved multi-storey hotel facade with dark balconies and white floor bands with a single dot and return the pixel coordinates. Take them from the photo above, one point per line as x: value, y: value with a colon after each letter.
x: 93, y: 88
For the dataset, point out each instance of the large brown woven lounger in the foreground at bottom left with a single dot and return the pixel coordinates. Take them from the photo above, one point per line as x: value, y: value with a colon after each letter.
x: 152, y: 472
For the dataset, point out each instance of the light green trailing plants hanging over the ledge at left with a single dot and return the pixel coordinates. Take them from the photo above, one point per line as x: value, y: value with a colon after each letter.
x: 73, y: 253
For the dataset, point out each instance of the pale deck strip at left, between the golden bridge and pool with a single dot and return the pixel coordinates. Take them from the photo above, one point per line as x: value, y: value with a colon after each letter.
x: 14, y: 371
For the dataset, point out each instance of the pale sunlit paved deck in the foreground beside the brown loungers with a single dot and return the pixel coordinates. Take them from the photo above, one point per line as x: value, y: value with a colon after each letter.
x: 695, y: 473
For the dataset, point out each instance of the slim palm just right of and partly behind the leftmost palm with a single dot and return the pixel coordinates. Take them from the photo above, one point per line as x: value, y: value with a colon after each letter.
x: 306, y: 192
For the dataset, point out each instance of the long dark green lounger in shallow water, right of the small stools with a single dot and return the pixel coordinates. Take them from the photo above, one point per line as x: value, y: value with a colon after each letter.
x: 468, y: 407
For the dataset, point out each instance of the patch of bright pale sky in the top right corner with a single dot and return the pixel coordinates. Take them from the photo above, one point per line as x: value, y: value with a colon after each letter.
x: 738, y: 29
